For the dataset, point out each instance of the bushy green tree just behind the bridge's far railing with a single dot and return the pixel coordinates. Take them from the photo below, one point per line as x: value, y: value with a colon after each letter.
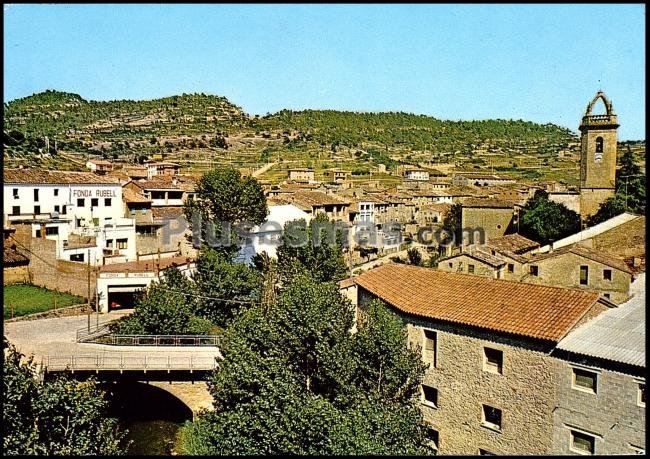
x: 168, y: 307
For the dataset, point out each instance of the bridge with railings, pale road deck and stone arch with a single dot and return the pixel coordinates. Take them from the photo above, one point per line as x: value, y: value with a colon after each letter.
x: 178, y: 364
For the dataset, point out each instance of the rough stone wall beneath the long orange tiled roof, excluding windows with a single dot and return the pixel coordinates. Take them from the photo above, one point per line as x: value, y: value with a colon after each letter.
x: 525, y: 392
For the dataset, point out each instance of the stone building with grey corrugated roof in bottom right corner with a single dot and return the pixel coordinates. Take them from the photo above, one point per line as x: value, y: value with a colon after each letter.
x: 601, y: 385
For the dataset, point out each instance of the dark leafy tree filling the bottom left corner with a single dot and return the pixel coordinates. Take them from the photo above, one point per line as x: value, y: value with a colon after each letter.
x: 54, y: 417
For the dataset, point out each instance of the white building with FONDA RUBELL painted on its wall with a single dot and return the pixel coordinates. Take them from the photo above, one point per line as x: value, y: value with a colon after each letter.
x: 83, y: 212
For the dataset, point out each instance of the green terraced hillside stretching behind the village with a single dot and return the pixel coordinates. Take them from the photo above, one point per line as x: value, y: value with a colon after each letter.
x: 201, y: 130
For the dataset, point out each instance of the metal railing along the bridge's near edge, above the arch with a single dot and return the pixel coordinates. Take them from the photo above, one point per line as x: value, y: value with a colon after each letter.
x: 121, y: 362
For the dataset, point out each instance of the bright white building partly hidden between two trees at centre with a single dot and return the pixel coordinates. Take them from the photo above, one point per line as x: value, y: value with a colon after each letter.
x: 266, y: 237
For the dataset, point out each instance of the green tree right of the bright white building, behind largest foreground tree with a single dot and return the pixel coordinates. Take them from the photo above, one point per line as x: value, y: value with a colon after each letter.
x: 316, y: 248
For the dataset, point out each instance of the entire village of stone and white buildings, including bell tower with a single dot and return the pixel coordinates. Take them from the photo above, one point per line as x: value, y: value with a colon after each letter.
x: 532, y: 346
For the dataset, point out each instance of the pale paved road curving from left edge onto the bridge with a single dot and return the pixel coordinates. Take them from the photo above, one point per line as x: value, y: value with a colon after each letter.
x: 57, y: 337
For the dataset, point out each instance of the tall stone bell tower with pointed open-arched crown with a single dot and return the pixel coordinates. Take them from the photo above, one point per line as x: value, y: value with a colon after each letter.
x: 597, y: 156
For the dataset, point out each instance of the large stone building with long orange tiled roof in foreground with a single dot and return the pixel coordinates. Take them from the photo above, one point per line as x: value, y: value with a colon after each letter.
x: 491, y: 386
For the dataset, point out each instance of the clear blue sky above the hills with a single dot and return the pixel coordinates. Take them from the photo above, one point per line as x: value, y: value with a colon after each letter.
x: 541, y: 63
